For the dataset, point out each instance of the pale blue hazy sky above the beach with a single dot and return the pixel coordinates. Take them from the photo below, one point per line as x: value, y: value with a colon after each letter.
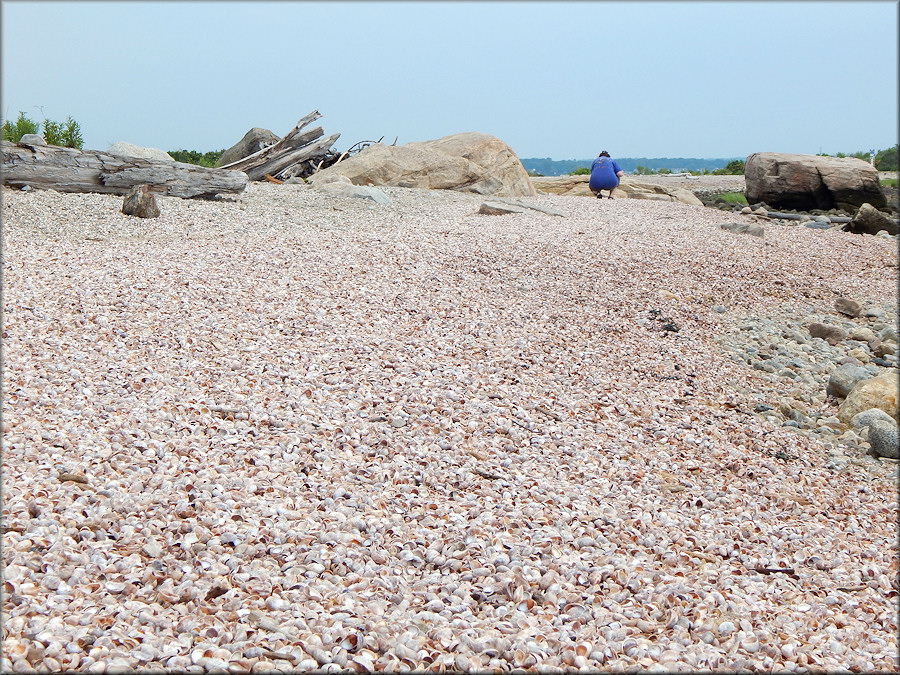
x: 552, y: 79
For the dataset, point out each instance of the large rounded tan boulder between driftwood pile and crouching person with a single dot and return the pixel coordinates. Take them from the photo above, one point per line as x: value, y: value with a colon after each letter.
x: 468, y: 162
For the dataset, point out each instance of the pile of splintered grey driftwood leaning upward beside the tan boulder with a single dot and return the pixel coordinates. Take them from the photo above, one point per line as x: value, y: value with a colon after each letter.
x: 283, y: 158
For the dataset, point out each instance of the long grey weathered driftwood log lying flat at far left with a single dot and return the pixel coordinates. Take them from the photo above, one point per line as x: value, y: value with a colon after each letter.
x: 69, y: 170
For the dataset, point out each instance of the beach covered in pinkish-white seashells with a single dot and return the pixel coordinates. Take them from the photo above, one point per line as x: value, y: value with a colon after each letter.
x: 288, y: 430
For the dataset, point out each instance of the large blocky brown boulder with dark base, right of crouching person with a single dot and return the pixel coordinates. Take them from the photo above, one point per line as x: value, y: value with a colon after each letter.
x: 806, y: 182
